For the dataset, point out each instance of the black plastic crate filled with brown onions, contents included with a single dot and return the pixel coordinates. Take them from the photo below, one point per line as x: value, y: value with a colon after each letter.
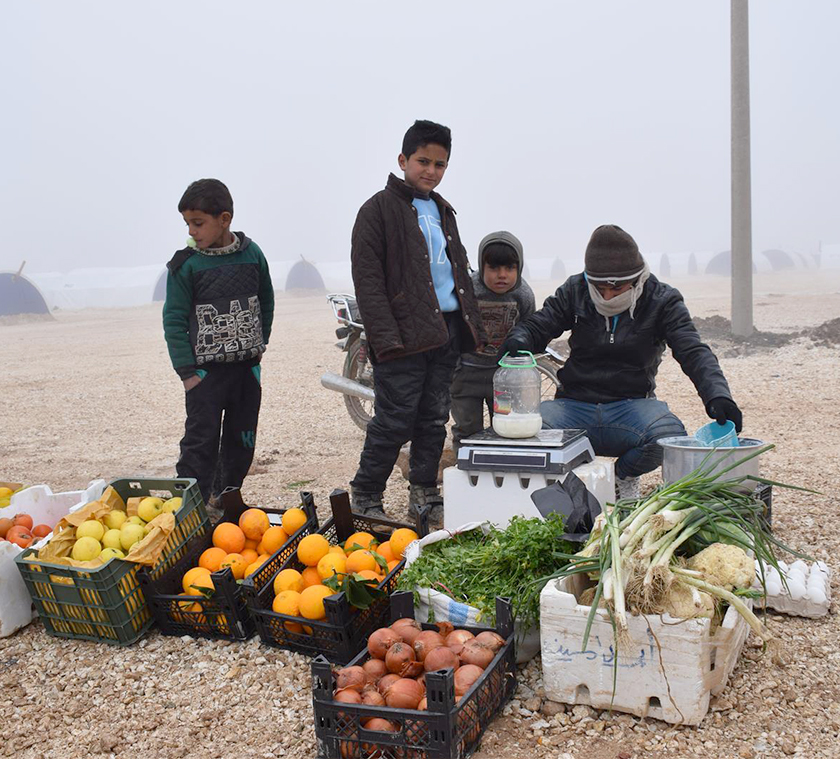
x: 419, y: 691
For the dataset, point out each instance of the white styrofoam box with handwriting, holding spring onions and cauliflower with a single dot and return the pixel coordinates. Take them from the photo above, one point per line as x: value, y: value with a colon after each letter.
x: 670, y: 672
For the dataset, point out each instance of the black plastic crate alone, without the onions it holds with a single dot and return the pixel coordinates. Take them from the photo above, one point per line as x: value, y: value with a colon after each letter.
x: 446, y: 730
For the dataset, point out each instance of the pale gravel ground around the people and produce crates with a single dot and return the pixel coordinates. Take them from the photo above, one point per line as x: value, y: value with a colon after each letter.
x: 90, y: 394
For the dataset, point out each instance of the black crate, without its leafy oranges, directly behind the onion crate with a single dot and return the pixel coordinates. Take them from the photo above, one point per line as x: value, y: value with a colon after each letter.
x: 345, y: 630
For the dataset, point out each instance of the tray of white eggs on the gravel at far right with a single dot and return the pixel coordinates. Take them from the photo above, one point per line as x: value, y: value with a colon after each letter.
x: 806, y: 591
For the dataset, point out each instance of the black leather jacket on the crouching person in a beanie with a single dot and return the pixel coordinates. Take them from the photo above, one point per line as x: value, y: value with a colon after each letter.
x: 620, y: 362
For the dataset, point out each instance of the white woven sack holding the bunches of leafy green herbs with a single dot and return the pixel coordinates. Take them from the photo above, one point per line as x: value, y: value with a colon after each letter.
x: 434, y: 604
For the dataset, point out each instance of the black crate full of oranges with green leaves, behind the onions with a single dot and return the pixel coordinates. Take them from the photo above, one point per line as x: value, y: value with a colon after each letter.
x: 297, y: 611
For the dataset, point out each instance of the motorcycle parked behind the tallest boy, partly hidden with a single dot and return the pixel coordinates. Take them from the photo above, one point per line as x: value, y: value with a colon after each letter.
x: 356, y: 380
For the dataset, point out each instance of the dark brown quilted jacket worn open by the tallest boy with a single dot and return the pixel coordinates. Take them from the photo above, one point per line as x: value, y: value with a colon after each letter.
x: 391, y: 274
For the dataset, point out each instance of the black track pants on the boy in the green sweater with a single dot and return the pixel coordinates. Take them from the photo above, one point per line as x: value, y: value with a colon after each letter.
x: 221, y: 428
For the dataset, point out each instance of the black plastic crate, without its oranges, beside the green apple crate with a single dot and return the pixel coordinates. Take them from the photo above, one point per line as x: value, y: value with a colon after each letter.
x: 225, y: 615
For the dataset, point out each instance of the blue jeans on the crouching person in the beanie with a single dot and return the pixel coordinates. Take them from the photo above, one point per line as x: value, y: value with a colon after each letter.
x: 625, y: 429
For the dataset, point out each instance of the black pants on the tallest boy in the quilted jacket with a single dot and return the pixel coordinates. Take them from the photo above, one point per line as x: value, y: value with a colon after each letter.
x: 412, y: 403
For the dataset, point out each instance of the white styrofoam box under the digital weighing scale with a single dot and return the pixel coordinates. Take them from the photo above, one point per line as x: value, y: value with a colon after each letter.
x: 497, y: 496
